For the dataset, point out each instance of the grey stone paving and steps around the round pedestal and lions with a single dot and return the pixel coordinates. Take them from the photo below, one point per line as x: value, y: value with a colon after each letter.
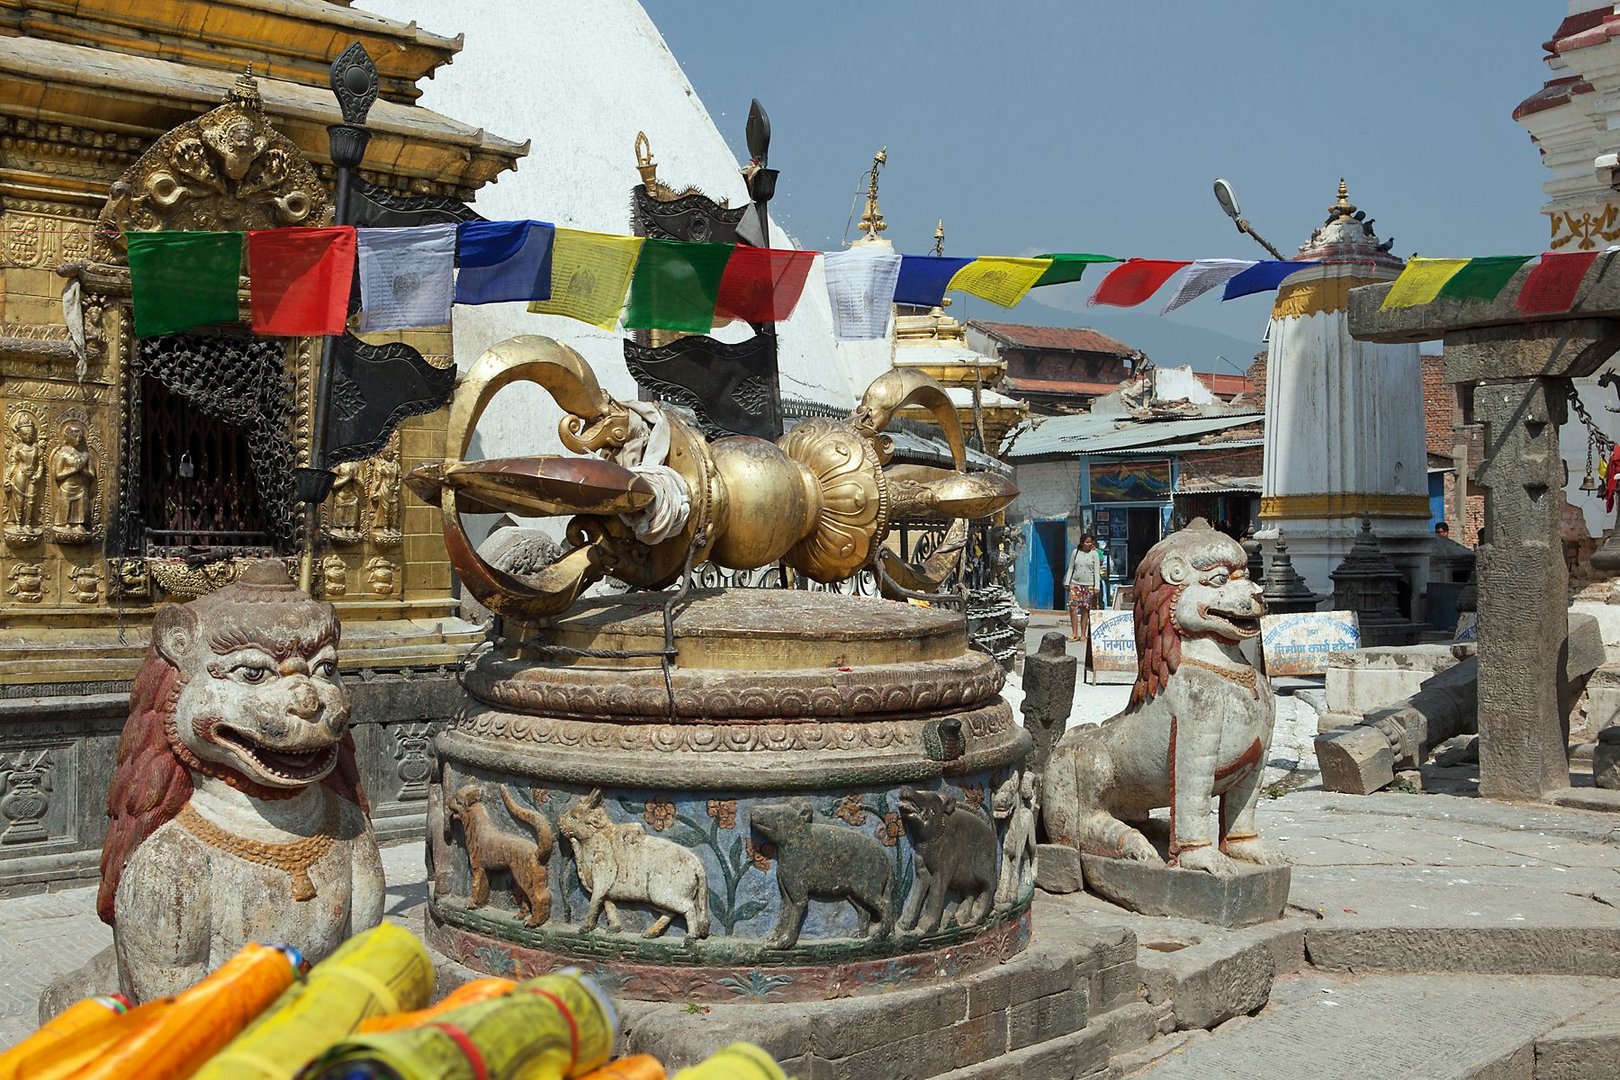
x: 1423, y: 901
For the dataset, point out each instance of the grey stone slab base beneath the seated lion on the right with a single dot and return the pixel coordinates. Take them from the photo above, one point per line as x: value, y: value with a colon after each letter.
x: 1243, y: 899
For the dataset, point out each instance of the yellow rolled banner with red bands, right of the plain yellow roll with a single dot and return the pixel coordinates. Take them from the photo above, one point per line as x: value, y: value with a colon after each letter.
x: 547, y: 1029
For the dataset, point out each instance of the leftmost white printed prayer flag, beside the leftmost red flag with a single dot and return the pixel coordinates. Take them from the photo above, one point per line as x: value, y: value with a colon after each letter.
x: 406, y: 278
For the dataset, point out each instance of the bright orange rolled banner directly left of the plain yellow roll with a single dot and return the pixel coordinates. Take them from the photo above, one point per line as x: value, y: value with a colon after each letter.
x: 194, y: 1026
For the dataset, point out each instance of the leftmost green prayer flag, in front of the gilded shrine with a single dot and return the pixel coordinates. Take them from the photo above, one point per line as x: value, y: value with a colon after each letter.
x: 184, y: 279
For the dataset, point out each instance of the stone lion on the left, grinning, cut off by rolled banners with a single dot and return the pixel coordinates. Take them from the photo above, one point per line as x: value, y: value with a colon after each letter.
x: 236, y: 804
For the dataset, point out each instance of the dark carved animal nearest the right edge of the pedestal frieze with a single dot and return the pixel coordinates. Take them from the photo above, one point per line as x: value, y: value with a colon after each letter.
x: 957, y: 854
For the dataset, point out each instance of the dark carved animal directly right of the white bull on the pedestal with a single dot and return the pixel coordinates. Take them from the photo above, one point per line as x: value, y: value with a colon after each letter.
x: 824, y: 862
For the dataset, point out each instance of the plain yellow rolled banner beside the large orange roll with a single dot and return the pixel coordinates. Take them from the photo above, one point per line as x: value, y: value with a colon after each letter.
x: 377, y: 974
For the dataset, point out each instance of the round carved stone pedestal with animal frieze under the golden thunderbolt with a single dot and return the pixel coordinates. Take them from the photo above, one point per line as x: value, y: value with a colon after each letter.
x: 795, y: 794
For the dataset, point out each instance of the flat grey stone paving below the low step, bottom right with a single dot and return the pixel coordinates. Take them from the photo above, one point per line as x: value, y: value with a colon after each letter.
x: 1420, y: 1027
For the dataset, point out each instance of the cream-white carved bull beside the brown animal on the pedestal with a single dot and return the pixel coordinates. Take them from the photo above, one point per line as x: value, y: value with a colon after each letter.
x: 620, y: 864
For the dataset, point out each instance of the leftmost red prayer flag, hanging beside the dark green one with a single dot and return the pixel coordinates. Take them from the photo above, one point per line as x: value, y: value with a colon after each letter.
x: 302, y: 279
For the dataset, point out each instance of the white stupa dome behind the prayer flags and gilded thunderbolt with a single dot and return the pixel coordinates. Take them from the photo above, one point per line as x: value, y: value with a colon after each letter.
x: 581, y: 79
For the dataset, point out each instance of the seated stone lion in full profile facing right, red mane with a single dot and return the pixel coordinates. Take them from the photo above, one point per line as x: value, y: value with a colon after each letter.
x: 1200, y: 723
